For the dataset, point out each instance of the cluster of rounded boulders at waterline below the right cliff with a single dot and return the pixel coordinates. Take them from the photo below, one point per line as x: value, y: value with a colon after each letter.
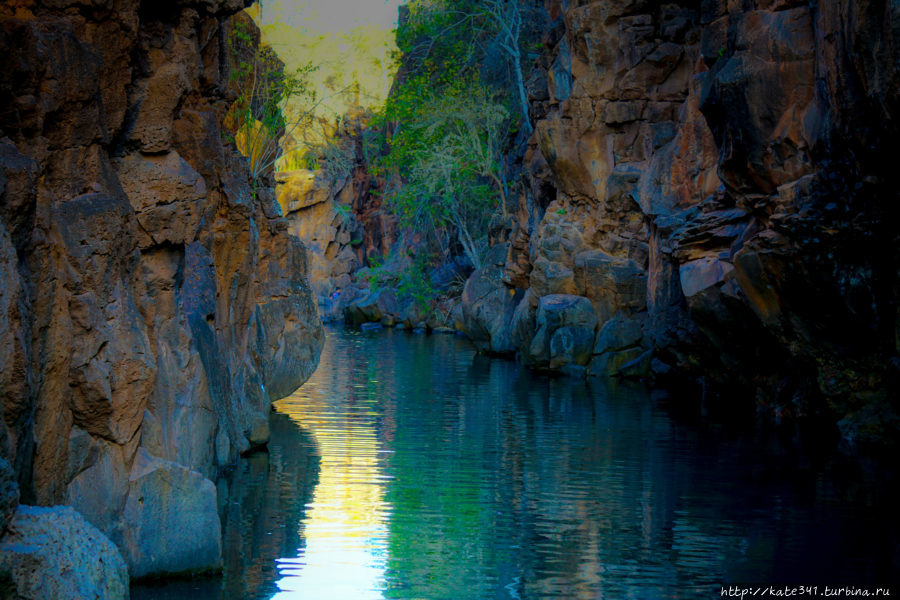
x: 598, y: 332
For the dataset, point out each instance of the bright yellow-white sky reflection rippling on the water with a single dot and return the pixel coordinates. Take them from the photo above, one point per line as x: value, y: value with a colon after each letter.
x: 346, y: 525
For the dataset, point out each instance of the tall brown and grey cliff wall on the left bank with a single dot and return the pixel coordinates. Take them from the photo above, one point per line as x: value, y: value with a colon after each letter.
x: 151, y: 306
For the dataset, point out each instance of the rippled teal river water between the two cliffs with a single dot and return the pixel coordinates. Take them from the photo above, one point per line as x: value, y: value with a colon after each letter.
x: 408, y: 467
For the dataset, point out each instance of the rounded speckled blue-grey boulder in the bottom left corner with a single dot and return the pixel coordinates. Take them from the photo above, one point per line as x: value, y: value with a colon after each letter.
x: 52, y: 552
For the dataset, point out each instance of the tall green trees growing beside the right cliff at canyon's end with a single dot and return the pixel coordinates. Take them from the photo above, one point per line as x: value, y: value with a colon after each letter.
x: 457, y: 103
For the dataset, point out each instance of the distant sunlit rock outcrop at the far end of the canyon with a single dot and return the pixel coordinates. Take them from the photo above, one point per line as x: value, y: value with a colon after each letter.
x: 358, y: 254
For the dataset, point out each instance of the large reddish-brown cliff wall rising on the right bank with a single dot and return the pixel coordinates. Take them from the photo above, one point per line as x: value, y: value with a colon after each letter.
x: 715, y: 179
